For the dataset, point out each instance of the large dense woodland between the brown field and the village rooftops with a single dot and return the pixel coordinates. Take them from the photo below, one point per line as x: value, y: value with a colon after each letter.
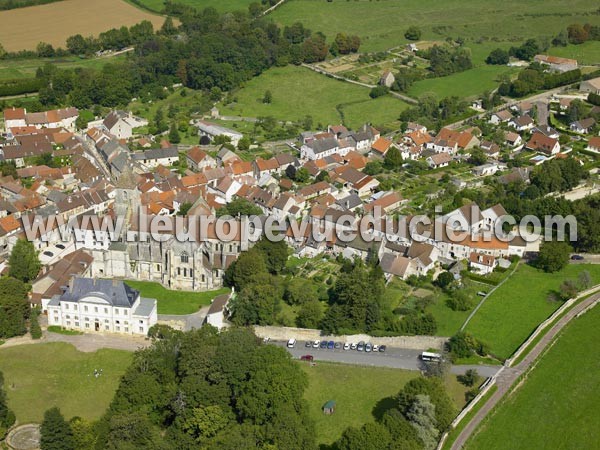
x: 208, y: 52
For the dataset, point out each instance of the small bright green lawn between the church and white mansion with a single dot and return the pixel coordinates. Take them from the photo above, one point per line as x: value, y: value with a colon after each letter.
x: 175, y: 302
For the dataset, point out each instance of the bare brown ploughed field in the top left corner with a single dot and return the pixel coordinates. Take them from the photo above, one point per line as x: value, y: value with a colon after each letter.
x: 24, y: 28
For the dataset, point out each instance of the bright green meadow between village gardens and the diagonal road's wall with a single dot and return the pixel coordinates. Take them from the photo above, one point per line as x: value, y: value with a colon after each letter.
x: 513, y: 311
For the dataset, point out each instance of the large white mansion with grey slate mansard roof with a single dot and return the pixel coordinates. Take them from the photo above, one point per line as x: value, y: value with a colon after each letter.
x: 102, y: 306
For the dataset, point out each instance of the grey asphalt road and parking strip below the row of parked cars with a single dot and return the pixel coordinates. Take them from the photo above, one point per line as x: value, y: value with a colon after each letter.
x: 396, y: 358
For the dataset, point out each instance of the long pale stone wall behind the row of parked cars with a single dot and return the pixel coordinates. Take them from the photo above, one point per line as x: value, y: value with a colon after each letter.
x: 304, y: 334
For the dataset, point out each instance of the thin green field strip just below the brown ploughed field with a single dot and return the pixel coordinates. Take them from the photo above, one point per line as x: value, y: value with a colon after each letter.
x: 26, y: 68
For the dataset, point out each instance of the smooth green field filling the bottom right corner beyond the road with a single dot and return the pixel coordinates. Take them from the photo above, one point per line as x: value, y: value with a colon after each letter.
x: 557, y: 406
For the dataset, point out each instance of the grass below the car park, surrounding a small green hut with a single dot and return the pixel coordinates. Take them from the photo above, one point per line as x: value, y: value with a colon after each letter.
x: 360, y: 393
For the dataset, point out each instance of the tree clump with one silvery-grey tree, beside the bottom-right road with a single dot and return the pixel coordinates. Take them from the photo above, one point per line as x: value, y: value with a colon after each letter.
x: 422, y: 410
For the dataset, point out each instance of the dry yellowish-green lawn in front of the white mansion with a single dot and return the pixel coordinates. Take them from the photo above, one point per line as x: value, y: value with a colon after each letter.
x: 40, y: 376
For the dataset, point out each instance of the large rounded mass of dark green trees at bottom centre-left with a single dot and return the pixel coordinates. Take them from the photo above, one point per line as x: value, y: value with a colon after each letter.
x: 201, y: 389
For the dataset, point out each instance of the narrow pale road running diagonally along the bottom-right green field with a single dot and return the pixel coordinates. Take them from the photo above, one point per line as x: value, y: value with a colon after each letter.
x: 509, y: 375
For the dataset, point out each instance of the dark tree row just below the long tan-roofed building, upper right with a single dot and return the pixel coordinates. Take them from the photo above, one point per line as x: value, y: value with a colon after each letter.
x: 534, y: 78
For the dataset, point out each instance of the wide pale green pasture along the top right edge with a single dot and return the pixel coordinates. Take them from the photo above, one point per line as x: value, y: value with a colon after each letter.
x: 381, y: 25
